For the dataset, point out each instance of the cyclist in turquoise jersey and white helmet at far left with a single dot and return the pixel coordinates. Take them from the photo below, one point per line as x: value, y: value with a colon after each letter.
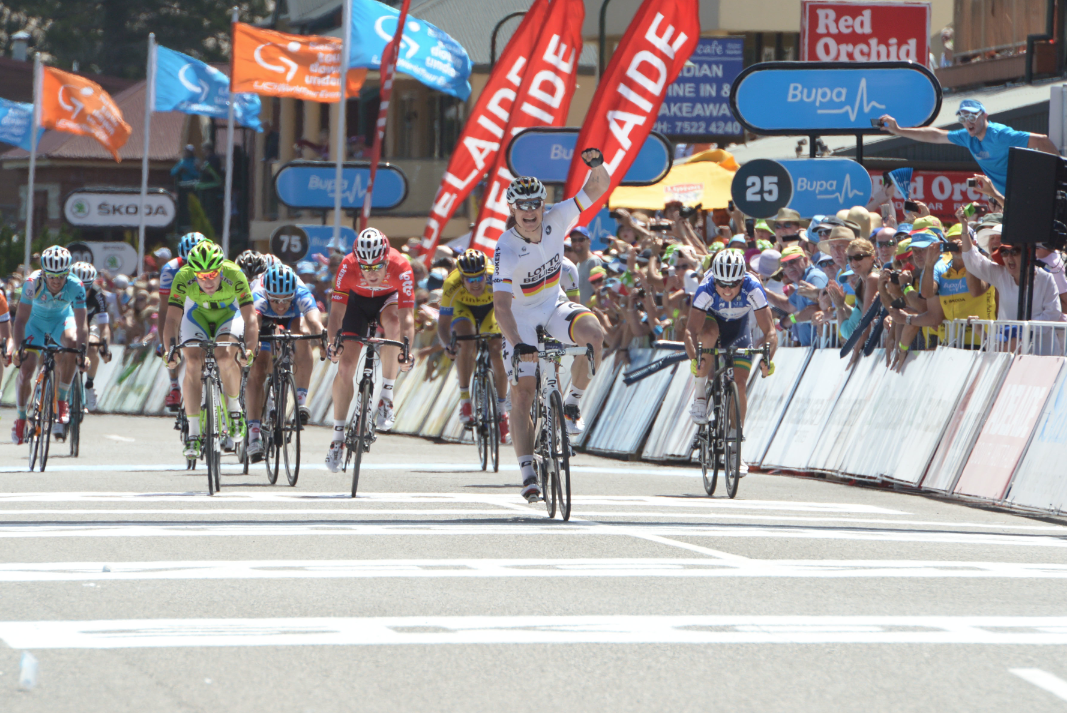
x: 53, y: 305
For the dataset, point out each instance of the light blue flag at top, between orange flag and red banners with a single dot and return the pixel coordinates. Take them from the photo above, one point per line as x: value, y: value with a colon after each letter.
x: 426, y: 53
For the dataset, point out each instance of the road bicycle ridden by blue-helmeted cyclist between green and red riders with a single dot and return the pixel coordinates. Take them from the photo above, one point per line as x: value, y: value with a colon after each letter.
x: 281, y: 414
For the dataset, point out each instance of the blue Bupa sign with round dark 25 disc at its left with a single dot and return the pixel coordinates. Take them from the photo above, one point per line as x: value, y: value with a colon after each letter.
x: 811, y: 187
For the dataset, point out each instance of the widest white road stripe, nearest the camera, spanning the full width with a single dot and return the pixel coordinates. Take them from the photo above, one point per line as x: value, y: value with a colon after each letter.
x: 426, y: 630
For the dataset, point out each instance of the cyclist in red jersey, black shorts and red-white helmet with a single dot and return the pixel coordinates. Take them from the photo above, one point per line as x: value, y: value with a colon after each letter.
x: 374, y: 284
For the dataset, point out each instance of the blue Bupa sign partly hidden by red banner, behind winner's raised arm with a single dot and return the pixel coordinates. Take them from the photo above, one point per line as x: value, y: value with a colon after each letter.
x: 547, y: 153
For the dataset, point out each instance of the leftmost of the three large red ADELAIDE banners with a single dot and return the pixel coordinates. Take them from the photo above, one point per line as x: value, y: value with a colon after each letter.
x: 477, y: 148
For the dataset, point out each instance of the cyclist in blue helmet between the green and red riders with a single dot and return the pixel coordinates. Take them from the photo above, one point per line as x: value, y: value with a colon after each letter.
x: 281, y: 298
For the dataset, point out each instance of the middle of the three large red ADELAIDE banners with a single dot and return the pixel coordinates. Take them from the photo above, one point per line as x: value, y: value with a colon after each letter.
x: 544, y: 100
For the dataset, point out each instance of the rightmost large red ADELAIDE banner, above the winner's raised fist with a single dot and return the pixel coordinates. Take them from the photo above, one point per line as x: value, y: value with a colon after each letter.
x: 656, y: 47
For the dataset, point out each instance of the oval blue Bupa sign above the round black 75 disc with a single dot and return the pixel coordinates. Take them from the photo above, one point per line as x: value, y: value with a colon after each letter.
x: 310, y: 185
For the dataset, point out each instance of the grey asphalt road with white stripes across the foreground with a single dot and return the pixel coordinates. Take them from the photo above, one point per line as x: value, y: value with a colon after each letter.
x: 440, y: 590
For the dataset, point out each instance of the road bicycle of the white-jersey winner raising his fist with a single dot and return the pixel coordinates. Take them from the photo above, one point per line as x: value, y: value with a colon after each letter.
x: 552, y: 447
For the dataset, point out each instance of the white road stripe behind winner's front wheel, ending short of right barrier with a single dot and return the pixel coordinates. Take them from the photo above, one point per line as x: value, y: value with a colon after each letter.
x: 485, y: 499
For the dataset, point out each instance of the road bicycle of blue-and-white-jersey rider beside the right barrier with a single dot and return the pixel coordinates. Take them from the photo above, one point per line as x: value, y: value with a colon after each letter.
x: 720, y: 446
